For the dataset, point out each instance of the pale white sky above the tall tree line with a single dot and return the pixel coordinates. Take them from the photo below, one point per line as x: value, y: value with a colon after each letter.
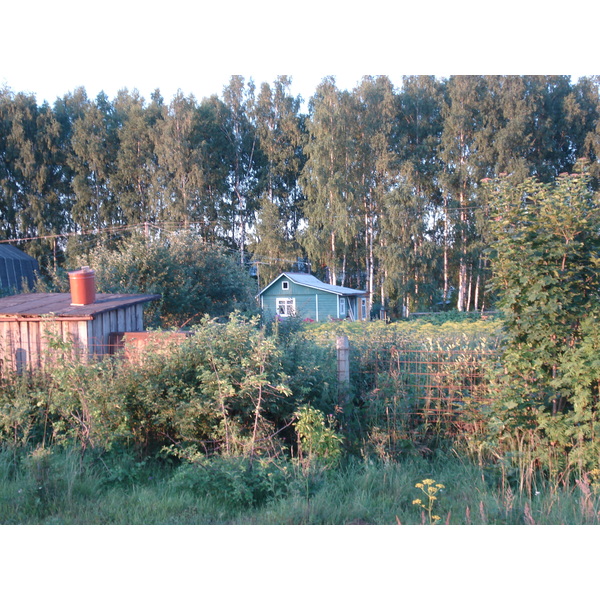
x: 51, y: 47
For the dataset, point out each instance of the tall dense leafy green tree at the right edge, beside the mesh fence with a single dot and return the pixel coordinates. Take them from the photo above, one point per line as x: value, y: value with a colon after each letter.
x: 545, y: 253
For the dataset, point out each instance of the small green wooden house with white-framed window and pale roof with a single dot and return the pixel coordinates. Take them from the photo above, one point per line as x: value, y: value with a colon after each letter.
x: 309, y: 298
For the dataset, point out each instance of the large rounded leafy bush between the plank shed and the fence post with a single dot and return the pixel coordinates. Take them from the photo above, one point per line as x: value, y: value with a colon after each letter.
x: 223, y: 387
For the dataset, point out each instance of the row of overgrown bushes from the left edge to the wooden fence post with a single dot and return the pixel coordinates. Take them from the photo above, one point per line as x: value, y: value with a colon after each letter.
x: 228, y: 387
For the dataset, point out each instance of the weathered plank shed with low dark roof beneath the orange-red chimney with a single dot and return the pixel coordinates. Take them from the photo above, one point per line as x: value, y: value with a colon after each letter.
x: 31, y: 323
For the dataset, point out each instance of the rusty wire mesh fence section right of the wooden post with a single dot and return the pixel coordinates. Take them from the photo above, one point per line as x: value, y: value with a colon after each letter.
x: 413, y: 392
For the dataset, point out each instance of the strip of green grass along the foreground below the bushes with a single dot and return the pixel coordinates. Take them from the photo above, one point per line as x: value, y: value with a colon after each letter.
x: 58, y: 488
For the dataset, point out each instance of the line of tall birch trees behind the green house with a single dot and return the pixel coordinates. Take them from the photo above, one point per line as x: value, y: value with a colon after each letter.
x: 377, y: 187
